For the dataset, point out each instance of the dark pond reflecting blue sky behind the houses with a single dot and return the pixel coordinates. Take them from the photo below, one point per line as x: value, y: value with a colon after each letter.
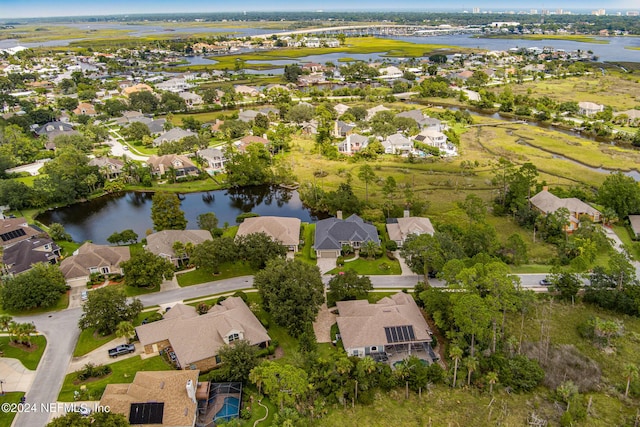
x: 97, y: 219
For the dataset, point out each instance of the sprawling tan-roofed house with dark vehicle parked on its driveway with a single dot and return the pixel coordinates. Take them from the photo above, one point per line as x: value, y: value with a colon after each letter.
x: 196, y: 339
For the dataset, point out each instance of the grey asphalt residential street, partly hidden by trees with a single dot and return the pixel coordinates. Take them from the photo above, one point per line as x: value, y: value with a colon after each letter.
x: 61, y: 331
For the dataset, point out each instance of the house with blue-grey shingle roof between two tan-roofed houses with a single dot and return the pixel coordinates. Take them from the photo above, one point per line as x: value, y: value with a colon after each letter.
x: 332, y: 233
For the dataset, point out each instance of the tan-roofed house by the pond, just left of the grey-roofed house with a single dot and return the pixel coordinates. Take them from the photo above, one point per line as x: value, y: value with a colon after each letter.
x: 280, y: 229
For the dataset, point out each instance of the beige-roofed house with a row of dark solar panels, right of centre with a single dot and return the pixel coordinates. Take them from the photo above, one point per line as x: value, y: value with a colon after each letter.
x: 392, y: 325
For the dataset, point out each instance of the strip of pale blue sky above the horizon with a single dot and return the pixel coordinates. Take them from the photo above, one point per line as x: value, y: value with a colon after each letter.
x: 48, y: 8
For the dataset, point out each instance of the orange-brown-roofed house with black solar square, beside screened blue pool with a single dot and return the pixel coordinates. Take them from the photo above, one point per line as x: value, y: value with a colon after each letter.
x: 158, y: 398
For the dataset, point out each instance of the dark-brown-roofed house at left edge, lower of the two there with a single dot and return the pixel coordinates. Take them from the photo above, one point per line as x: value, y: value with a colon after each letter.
x: 20, y: 257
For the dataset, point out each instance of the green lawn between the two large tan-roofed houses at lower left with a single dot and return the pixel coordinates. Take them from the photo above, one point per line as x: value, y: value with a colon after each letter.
x: 123, y: 372
